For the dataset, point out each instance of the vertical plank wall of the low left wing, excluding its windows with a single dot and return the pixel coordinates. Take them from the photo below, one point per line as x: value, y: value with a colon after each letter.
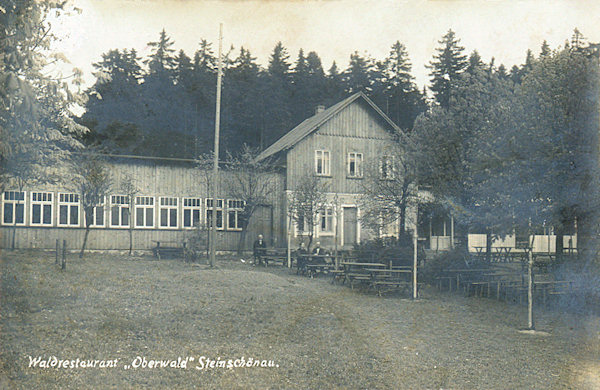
x: 153, y: 178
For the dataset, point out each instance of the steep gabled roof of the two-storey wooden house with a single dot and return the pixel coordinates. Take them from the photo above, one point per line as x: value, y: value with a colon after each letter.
x: 311, y: 124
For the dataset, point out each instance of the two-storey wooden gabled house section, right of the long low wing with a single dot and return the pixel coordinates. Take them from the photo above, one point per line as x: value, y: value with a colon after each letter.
x: 335, y: 145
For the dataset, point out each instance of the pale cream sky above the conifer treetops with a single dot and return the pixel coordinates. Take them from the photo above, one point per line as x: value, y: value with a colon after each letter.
x: 503, y: 29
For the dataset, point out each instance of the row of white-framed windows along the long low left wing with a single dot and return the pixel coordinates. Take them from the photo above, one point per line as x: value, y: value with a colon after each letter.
x: 118, y: 213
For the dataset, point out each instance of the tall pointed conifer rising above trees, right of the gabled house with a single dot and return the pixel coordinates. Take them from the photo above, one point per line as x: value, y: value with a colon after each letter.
x: 446, y: 66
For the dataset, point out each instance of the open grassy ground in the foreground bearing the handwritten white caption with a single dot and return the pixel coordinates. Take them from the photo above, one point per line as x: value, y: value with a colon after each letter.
x: 314, y: 334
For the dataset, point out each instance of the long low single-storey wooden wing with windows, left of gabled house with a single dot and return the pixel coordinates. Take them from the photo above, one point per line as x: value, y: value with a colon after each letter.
x: 172, y: 201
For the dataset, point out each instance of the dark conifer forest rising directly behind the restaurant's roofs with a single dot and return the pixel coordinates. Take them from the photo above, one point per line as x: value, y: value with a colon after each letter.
x: 164, y: 104
